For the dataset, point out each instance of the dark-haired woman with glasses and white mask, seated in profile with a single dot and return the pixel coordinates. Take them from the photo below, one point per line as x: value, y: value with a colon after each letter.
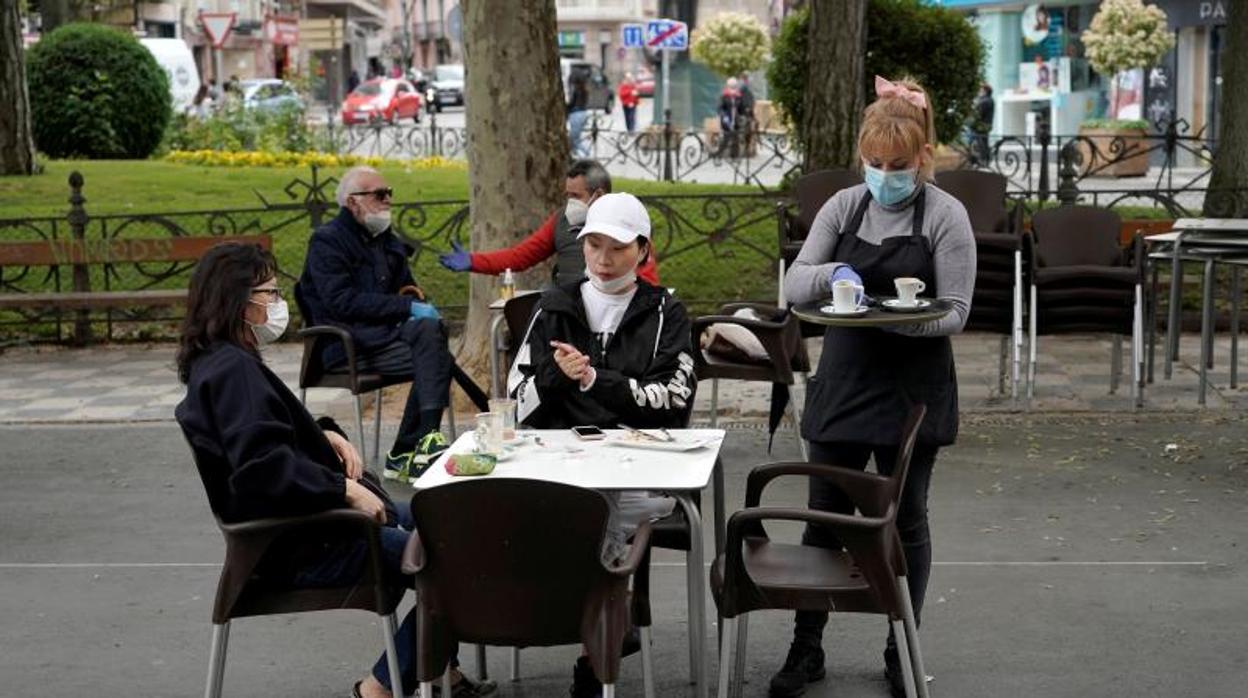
x: 279, y: 460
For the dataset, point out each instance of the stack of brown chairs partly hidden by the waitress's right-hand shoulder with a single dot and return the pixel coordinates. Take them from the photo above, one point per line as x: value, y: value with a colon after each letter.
x: 997, y: 303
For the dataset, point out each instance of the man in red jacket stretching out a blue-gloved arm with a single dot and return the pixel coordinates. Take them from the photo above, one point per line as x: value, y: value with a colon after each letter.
x: 587, y: 182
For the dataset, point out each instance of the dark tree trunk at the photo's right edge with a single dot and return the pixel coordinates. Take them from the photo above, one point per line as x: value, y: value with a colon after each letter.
x: 1231, y: 159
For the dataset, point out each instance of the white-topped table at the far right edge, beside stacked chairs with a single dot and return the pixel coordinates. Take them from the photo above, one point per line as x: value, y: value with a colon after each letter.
x: 1210, y: 242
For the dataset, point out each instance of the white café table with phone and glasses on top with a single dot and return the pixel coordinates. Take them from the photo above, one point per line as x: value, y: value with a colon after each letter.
x: 560, y: 456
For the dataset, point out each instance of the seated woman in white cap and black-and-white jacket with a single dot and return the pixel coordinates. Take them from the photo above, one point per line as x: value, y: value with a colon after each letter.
x: 608, y: 350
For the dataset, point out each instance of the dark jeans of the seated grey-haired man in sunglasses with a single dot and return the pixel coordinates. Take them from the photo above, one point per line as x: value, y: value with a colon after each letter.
x: 421, y: 351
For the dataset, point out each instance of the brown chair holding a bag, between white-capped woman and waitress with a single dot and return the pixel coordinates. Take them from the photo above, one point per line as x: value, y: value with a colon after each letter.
x: 781, y: 337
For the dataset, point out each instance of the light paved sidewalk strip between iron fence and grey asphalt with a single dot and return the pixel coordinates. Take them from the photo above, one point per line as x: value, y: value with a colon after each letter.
x: 138, y: 384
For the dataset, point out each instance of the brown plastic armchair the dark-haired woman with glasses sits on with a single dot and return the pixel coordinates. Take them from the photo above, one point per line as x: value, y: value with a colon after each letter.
x: 241, y: 592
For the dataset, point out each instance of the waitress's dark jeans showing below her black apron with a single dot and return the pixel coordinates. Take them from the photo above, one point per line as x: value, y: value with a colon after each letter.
x: 912, y: 519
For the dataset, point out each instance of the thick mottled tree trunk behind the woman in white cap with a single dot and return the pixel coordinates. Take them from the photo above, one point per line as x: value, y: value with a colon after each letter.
x: 517, y: 144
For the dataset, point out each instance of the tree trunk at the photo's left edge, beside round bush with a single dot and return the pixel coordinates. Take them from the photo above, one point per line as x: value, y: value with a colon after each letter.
x: 17, y: 143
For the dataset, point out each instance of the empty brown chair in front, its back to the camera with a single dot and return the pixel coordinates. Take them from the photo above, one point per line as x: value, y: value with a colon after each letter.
x: 517, y: 564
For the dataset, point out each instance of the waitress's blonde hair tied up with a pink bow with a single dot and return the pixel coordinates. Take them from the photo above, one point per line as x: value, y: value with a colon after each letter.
x: 895, y: 125
